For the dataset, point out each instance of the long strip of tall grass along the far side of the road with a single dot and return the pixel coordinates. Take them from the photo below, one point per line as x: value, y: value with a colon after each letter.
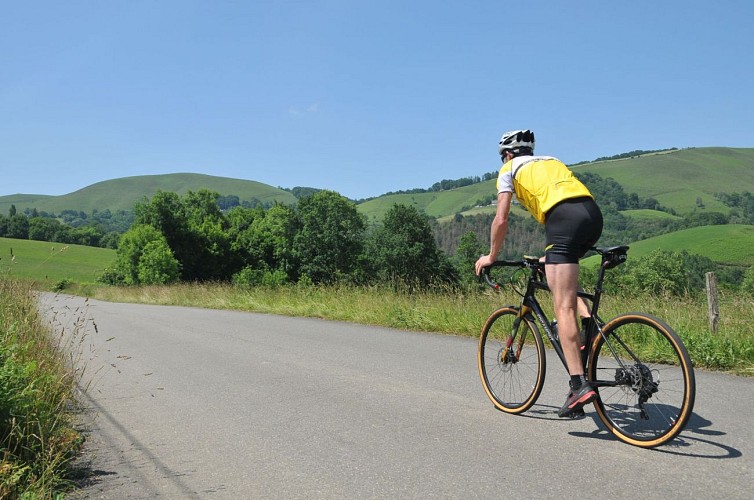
x: 731, y: 348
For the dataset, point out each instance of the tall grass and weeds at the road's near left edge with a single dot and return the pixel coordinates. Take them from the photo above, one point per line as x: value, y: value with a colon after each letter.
x: 38, y: 438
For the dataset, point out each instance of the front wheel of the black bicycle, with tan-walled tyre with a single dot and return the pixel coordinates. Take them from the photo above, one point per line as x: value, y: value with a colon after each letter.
x: 511, y: 364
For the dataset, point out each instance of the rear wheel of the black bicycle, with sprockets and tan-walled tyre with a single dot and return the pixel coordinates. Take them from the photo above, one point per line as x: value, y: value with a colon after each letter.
x: 660, y: 373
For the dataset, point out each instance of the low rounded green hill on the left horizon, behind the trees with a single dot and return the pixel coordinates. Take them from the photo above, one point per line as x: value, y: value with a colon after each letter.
x: 121, y: 194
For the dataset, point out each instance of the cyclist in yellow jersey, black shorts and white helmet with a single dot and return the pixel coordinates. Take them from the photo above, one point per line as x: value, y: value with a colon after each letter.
x: 573, y: 224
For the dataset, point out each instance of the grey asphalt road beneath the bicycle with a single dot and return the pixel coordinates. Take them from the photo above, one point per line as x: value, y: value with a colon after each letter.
x: 192, y: 403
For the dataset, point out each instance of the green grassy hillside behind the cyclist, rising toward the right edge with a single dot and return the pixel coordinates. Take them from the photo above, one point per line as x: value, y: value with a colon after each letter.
x: 685, y: 180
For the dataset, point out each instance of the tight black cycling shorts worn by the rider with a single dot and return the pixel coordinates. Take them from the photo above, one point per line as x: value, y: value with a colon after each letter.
x: 572, y: 228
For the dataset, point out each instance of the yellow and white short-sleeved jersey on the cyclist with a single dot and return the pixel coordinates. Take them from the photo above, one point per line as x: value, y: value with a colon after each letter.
x: 540, y: 183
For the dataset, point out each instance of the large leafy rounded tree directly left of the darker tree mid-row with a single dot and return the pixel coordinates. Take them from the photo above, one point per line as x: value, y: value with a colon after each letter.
x: 330, y: 238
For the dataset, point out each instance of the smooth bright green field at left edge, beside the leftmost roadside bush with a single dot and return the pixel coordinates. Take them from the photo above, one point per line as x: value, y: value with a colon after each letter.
x: 49, y: 263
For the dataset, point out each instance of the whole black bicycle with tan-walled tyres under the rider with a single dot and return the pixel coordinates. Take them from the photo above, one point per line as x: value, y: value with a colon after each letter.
x: 638, y: 365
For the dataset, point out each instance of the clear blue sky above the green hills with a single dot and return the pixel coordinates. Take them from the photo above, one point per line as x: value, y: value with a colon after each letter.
x: 362, y: 97
